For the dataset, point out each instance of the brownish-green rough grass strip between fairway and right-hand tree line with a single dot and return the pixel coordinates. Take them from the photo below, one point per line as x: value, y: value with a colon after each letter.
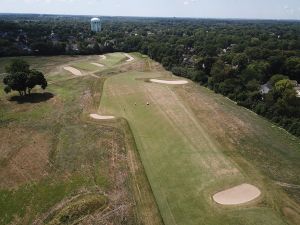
x: 271, y: 149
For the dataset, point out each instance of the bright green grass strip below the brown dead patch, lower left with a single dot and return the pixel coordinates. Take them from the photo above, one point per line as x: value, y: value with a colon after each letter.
x: 38, y: 197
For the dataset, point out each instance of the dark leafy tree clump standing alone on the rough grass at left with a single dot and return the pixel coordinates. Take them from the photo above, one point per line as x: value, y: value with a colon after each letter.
x: 20, y: 78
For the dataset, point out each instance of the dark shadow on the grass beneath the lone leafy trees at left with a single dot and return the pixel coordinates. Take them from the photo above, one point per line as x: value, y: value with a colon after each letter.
x: 32, y: 98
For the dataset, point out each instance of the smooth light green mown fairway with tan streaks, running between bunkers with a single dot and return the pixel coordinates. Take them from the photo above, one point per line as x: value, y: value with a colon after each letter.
x: 183, y: 163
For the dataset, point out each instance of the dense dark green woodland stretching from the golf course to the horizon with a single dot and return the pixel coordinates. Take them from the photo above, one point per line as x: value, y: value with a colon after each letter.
x: 254, y: 63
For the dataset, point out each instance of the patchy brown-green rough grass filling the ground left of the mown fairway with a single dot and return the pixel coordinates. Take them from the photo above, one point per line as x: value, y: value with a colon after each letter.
x: 53, y: 157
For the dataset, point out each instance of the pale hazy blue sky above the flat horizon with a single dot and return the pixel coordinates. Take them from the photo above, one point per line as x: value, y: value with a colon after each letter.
x: 262, y: 9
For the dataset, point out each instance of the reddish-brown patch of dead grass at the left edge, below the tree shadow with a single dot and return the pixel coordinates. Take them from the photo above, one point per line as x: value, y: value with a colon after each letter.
x: 27, y: 156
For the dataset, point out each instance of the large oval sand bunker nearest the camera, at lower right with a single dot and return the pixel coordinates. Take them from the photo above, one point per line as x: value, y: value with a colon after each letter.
x: 237, y: 195
